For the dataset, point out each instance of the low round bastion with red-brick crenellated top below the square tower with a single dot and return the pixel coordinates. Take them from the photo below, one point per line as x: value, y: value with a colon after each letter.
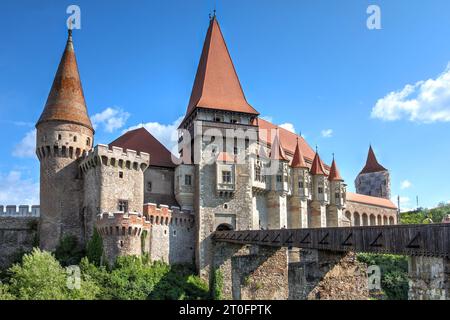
x: 123, y: 234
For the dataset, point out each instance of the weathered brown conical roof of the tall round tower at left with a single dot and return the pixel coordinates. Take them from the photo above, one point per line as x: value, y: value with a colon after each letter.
x: 66, y: 99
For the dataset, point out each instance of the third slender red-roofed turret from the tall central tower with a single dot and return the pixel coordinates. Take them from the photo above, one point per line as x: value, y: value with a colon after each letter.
x: 319, y: 194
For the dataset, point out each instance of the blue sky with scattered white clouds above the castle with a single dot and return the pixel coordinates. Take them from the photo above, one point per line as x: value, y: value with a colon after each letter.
x: 311, y: 64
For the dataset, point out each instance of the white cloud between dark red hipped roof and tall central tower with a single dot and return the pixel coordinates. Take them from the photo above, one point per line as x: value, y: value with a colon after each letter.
x: 167, y: 134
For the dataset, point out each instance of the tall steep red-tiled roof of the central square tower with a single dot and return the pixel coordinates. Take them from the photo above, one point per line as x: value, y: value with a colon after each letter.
x: 216, y: 84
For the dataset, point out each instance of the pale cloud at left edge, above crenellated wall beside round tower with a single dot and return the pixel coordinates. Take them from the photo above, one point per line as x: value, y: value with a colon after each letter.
x: 16, y: 191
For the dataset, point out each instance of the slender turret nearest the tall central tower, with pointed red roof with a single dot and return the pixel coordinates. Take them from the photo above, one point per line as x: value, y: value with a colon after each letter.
x: 277, y: 196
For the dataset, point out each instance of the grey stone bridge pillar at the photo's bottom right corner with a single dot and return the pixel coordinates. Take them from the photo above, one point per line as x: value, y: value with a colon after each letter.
x: 429, y: 278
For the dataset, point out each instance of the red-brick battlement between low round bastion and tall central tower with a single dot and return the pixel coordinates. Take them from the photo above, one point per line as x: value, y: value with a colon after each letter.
x: 162, y: 215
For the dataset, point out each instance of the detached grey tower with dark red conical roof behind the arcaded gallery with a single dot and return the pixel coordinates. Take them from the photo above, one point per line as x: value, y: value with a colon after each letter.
x: 373, y: 180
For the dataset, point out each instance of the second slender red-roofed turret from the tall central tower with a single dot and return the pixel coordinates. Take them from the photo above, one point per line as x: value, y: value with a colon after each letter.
x: 300, y: 186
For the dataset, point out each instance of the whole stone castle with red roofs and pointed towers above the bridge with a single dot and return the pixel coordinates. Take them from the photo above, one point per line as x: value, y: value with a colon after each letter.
x: 235, y: 171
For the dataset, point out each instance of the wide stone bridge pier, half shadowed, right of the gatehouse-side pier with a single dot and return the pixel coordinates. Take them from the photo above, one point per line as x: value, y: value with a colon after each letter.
x: 327, y: 275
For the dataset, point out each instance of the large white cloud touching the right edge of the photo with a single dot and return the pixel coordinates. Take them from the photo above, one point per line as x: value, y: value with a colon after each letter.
x: 425, y: 101
